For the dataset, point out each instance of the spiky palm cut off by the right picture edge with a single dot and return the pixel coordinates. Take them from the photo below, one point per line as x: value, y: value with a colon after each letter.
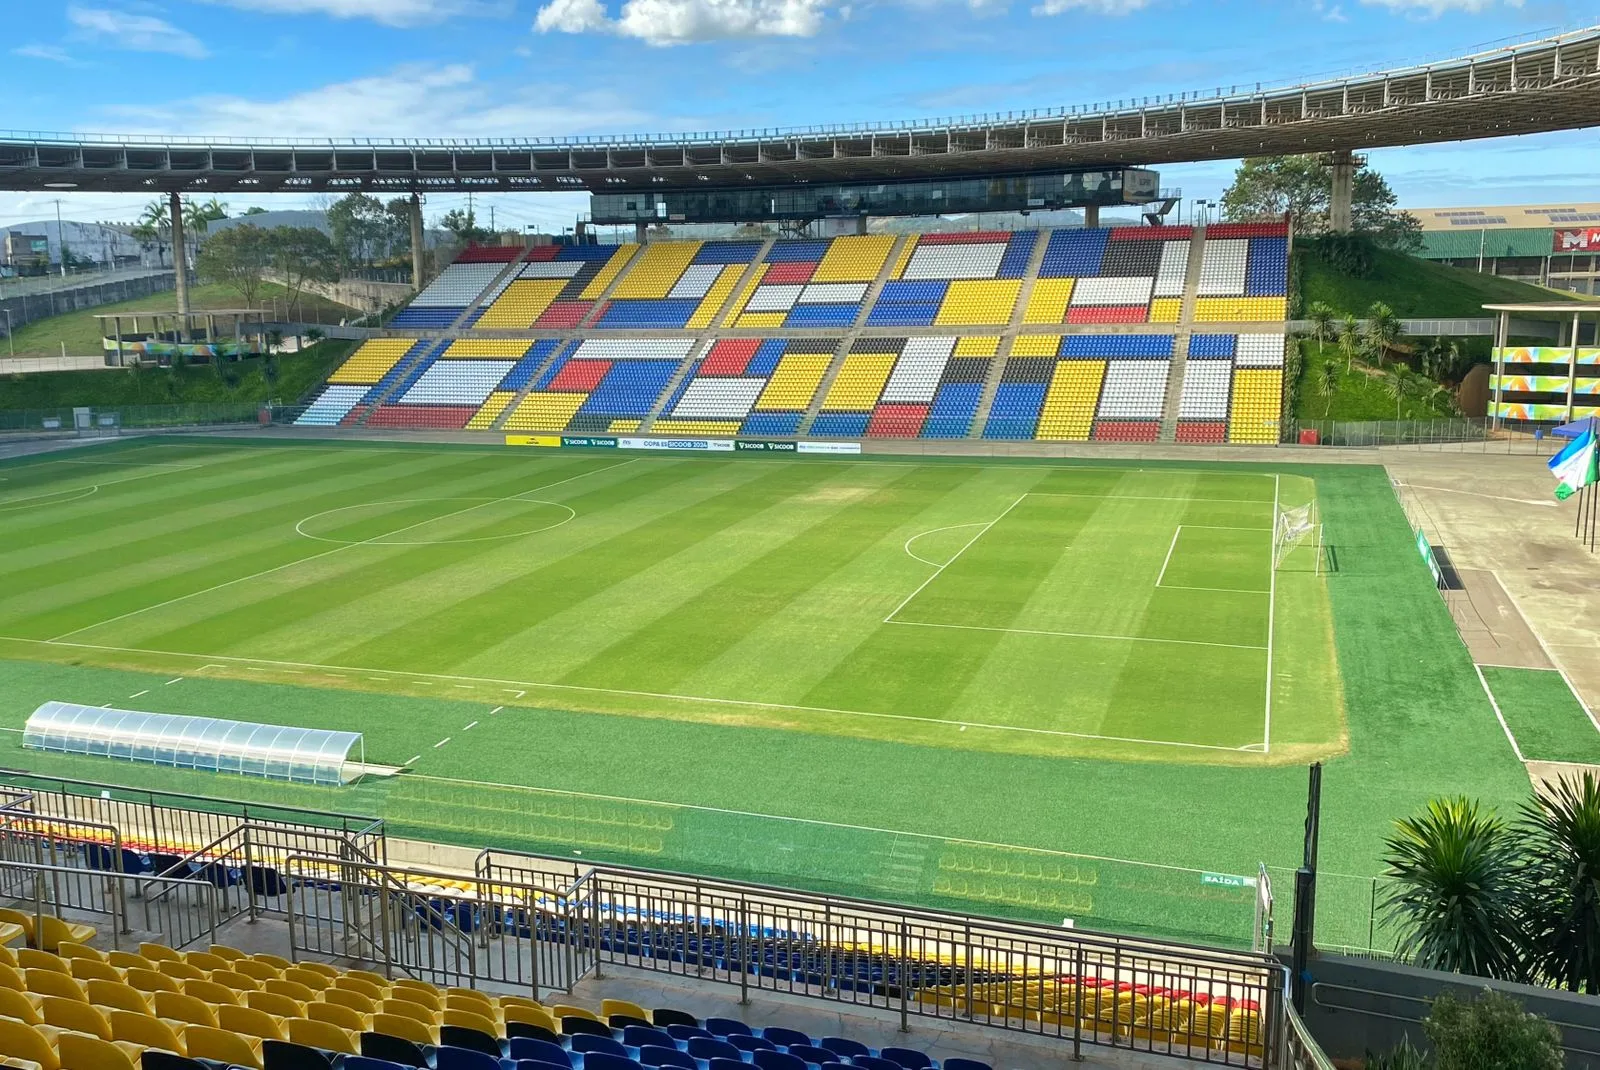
x: 1561, y: 834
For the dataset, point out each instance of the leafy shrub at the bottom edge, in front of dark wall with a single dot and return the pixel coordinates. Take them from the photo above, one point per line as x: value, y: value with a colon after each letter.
x: 1490, y: 1034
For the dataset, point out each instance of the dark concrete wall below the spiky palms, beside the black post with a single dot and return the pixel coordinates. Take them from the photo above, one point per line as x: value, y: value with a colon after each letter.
x: 1361, y: 1005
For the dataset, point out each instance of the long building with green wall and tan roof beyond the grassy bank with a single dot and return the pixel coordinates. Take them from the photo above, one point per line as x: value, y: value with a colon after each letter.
x: 1548, y: 246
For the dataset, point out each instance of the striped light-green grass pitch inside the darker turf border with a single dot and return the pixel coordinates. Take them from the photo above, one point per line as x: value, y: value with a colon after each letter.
x: 1028, y: 609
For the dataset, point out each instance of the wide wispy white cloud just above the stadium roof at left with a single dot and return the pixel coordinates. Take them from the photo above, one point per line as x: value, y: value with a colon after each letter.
x: 412, y: 102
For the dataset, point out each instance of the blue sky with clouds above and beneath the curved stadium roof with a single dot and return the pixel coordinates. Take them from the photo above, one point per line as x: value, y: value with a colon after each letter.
x: 522, y: 68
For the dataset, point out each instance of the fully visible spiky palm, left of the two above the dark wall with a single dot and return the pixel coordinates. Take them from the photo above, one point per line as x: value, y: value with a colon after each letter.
x: 1455, y: 890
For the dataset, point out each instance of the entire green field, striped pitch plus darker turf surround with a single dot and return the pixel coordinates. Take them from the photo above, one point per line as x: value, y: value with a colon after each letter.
x: 946, y: 682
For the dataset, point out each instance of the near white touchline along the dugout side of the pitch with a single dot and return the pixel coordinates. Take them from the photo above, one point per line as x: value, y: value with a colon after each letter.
x: 532, y: 685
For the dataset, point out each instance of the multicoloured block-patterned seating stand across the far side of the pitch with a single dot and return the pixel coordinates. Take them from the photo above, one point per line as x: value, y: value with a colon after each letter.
x: 1087, y: 335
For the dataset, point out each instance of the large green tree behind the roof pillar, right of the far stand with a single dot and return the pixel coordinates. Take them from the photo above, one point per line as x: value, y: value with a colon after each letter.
x: 1266, y: 188
